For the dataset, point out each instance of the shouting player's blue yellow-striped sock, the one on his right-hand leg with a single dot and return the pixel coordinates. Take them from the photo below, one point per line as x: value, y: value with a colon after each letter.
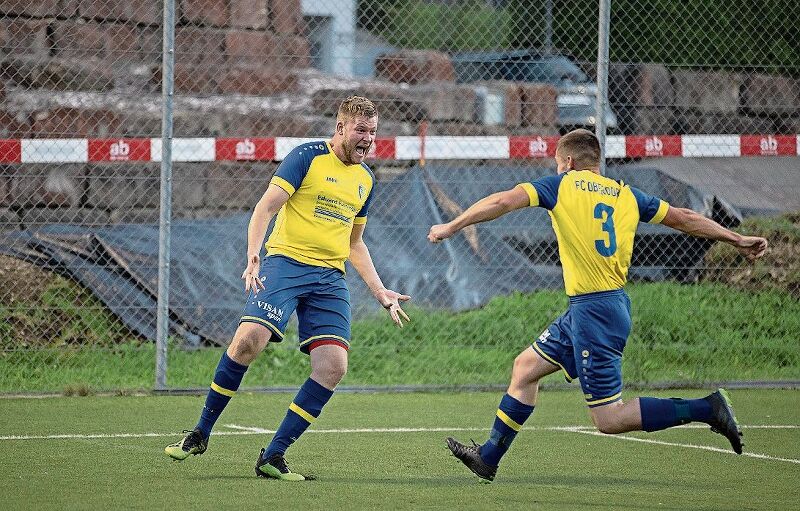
x: 306, y: 407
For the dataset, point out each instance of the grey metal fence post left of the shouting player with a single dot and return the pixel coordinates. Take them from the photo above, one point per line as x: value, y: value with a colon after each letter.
x: 167, y: 88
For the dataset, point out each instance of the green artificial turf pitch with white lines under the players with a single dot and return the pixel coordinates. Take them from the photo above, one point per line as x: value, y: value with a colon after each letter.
x: 124, y: 466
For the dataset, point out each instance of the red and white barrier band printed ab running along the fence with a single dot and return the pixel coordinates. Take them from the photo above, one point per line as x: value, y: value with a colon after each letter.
x: 70, y: 150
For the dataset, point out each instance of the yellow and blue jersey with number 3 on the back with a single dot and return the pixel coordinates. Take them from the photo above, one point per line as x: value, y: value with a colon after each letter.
x: 595, y: 219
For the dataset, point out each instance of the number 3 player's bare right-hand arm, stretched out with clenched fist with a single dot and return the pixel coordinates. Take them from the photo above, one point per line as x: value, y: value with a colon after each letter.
x: 695, y: 224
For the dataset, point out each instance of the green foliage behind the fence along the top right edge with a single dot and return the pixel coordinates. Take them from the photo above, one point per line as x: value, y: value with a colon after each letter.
x: 713, y: 34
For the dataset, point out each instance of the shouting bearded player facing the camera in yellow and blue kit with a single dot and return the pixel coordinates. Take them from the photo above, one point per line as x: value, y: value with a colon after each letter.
x: 321, y: 194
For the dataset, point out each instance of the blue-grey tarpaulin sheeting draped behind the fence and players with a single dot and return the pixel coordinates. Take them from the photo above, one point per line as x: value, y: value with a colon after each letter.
x: 518, y: 252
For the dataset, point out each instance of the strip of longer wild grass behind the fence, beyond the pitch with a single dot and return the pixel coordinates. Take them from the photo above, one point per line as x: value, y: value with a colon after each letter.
x: 685, y: 333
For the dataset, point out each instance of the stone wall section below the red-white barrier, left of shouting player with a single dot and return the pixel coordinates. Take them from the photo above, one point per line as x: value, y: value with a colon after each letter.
x: 99, y: 194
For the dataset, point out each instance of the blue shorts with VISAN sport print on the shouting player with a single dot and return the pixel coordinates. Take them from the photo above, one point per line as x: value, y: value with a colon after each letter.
x: 319, y: 295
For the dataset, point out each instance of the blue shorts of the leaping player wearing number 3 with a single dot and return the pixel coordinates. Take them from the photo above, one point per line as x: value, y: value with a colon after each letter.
x: 587, y: 343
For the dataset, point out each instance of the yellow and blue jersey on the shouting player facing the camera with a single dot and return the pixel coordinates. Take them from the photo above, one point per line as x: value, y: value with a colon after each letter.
x: 326, y: 198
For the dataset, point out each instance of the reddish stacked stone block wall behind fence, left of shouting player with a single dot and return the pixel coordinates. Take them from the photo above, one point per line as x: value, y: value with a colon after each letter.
x: 92, y: 68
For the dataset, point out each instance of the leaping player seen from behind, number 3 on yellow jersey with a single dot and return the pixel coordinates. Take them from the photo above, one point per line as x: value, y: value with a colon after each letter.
x: 595, y: 220
